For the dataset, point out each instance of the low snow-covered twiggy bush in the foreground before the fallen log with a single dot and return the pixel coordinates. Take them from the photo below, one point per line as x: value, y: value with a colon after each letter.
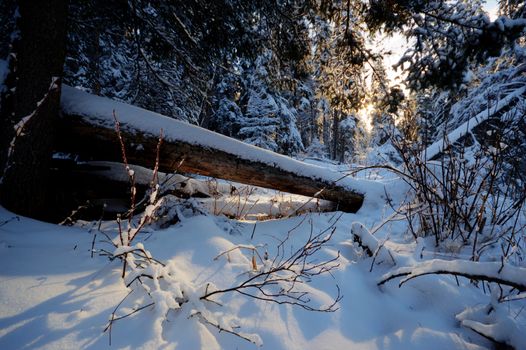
x: 281, y: 278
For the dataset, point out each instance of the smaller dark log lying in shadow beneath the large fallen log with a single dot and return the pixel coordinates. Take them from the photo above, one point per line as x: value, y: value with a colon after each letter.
x: 95, y: 189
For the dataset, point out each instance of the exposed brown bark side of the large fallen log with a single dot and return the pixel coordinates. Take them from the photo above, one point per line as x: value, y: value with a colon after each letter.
x: 95, y: 137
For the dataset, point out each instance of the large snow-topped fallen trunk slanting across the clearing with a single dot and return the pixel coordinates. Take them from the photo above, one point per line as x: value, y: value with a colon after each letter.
x: 88, y: 129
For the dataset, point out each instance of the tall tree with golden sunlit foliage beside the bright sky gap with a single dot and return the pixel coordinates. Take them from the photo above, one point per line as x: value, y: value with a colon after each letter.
x: 341, y: 56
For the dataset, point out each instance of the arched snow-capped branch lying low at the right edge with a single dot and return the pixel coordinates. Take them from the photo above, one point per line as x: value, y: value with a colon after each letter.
x: 484, y: 271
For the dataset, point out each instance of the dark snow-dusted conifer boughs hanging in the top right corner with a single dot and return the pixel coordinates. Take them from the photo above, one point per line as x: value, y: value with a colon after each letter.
x: 447, y: 37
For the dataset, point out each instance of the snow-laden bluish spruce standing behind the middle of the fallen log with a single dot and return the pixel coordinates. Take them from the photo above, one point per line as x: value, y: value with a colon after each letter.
x: 250, y: 110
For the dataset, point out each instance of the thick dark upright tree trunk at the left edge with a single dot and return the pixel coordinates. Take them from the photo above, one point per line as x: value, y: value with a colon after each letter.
x: 31, y: 107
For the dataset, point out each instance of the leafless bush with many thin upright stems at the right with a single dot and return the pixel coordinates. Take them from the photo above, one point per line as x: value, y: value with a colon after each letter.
x: 460, y: 198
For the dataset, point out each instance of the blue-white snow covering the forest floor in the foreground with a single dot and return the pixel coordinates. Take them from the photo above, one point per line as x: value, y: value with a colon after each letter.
x: 54, y: 295
